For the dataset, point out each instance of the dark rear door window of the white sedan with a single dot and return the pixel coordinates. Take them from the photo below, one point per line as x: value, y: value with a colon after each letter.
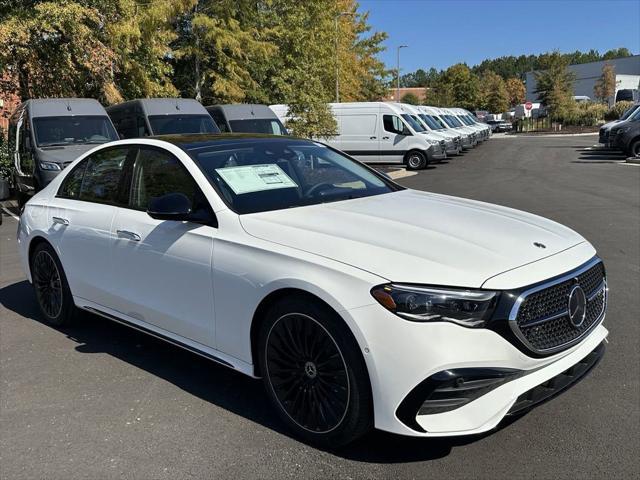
x: 101, y: 182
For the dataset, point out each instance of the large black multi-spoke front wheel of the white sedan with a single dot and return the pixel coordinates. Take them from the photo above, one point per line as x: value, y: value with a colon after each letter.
x: 314, y: 373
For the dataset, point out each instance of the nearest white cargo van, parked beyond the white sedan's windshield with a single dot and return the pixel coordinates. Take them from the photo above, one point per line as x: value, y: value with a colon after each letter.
x: 377, y: 132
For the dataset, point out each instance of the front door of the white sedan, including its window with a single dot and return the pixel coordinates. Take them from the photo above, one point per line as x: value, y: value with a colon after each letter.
x: 163, y: 268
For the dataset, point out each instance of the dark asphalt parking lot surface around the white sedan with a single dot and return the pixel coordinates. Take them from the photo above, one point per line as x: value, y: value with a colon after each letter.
x: 102, y: 401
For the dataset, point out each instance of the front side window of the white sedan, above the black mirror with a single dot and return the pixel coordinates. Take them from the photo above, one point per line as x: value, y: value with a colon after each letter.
x: 157, y: 173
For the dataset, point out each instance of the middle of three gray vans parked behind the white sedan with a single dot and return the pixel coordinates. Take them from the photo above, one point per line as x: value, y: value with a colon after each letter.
x: 160, y: 116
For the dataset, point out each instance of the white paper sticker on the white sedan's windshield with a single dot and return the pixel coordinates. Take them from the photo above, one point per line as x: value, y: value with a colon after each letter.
x: 255, y: 178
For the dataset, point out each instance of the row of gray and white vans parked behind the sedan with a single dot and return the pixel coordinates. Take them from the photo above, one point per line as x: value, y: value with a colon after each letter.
x: 45, y: 135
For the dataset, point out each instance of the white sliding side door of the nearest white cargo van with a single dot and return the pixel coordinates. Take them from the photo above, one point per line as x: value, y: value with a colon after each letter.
x: 359, y: 136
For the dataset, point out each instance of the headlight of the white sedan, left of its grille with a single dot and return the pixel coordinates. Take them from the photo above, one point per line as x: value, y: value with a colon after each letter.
x: 469, y: 308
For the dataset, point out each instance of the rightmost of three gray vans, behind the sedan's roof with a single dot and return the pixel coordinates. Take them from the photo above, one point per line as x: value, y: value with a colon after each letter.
x: 246, y: 118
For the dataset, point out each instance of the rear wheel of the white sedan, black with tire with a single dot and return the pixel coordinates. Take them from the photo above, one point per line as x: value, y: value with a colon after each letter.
x: 51, y: 287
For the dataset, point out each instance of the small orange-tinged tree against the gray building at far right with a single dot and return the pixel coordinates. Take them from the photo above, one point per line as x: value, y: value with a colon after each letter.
x: 554, y: 84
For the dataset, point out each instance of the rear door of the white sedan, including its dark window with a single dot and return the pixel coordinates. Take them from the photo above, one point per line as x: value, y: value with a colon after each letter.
x: 80, y: 217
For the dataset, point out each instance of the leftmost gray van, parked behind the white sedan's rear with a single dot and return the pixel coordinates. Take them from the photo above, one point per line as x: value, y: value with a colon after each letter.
x: 46, y: 135
